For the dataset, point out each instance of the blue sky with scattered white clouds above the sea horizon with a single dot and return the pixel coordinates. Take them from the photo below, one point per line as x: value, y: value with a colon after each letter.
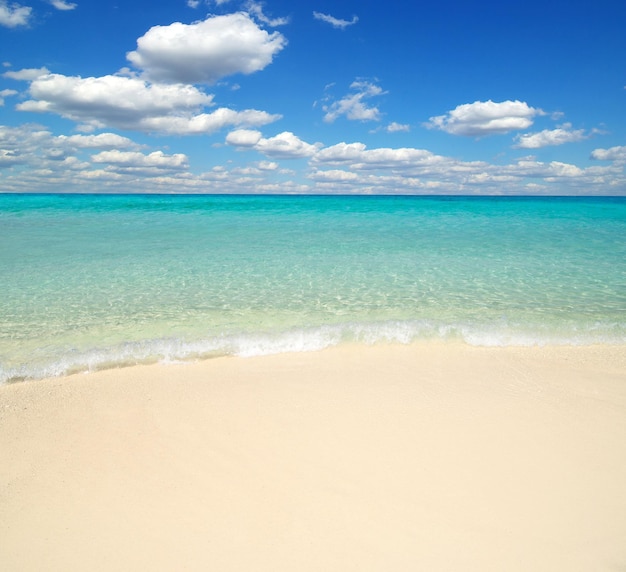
x: 359, y: 96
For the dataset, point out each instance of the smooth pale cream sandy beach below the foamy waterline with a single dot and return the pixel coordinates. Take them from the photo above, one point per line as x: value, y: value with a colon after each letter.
x: 419, y: 457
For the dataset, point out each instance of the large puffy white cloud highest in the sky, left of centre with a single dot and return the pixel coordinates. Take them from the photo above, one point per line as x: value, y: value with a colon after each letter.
x: 205, y: 51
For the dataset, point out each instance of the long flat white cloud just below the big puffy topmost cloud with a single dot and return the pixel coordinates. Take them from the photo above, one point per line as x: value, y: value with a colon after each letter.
x: 132, y: 103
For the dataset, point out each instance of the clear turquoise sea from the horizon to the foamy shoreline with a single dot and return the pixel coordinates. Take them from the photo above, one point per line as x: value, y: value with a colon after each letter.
x: 96, y: 281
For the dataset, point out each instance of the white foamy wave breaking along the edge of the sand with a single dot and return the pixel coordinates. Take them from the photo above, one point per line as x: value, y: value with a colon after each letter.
x: 173, y: 350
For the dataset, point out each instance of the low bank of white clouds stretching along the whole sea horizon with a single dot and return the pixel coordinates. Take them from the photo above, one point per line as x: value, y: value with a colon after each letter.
x: 108, y: 161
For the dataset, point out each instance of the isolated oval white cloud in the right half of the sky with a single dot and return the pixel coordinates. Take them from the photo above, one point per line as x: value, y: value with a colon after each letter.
x: 485, y: 118
